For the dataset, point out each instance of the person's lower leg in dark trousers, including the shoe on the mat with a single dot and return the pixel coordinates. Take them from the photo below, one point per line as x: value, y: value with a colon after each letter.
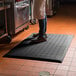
x: 41, y: 36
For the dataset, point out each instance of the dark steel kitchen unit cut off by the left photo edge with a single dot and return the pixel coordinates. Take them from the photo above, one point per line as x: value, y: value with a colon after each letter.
x: 3, y: 22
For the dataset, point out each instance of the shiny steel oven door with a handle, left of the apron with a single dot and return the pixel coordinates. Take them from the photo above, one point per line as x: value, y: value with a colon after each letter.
x: 21, y: 14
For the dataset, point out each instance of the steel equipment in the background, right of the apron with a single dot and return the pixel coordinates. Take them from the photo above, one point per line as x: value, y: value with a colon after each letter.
x: 51, y: 7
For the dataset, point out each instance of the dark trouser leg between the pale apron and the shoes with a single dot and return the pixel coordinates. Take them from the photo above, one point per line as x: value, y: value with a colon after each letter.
x: 42, y: 26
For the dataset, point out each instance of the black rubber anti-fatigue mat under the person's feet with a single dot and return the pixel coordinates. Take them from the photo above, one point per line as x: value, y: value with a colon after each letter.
x: 54, y: 49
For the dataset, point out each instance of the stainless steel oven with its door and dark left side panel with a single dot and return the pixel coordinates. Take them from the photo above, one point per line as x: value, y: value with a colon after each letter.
x: 18, y: 15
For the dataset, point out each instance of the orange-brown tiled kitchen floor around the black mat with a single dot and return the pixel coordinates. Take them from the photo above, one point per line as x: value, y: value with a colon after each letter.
x: 64, y: 22
